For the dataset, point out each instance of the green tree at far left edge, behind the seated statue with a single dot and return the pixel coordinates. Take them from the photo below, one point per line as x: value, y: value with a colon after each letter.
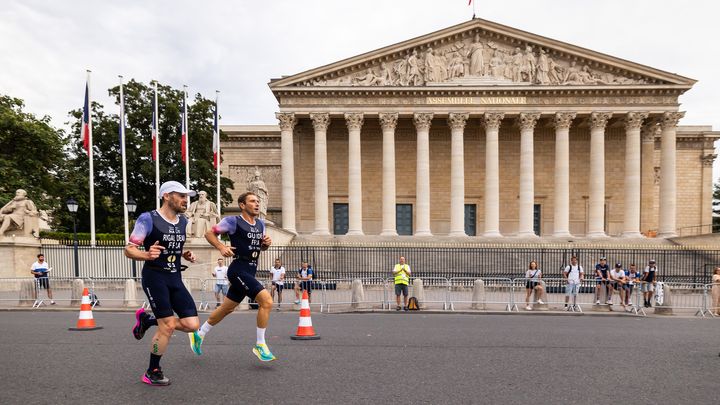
x: 31, y: 155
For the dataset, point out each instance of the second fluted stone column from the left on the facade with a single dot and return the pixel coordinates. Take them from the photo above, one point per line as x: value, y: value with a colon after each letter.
x: 321, y: 121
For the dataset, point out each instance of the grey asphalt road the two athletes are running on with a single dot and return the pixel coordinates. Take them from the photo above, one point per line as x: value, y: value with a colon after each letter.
x: 370, y: 358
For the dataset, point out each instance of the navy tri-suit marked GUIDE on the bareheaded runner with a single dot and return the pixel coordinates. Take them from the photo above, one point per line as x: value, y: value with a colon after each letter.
x: 246, y: 238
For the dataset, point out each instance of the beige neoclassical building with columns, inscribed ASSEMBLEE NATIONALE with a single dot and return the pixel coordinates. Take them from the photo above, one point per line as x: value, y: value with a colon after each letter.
x: 480, y: 130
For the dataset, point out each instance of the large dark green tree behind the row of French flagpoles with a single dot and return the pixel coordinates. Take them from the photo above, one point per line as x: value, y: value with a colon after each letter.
x: 107, y: 159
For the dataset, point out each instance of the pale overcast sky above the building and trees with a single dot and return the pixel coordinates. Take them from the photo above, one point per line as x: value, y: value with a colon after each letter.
x: 238, y: 46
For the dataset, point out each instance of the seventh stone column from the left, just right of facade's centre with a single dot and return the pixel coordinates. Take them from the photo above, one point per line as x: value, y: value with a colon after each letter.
x: 492, y: 123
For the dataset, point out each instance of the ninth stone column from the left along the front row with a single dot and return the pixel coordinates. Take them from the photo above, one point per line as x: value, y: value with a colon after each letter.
x: 561, y: 218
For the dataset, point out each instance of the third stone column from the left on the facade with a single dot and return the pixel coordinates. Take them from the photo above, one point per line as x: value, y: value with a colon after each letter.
x: 354, y: 122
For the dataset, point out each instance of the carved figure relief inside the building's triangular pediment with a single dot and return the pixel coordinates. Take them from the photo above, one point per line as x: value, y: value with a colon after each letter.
x: 475, y: 61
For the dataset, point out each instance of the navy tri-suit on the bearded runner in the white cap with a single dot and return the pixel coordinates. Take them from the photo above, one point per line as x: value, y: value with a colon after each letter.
x: 161, y: 279
